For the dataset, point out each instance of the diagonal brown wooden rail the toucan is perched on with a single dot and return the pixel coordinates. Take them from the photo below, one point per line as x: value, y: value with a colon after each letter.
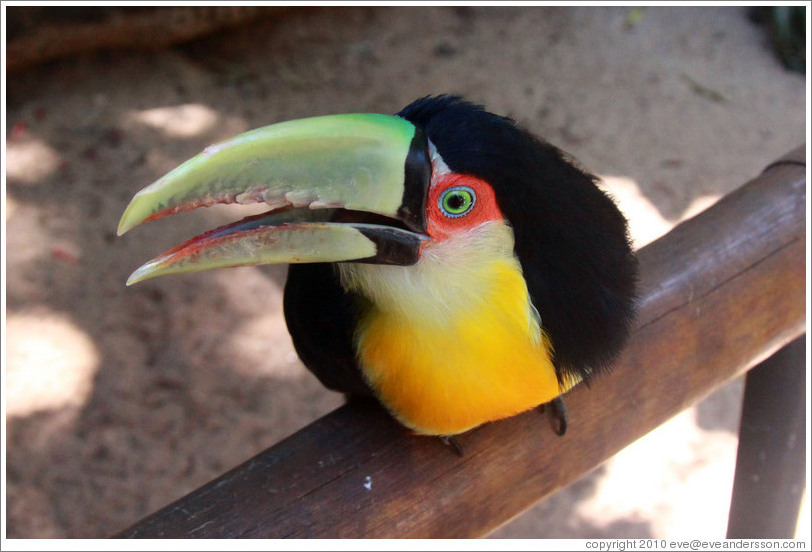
x: 720, y: 293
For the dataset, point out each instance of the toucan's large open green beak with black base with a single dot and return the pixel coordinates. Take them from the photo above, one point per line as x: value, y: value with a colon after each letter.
x: 340, y: 188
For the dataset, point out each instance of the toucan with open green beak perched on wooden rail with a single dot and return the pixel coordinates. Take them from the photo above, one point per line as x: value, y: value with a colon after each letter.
x: 443, y: 260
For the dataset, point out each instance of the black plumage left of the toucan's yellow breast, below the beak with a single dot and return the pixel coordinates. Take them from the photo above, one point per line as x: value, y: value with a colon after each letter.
x: 321, y: 319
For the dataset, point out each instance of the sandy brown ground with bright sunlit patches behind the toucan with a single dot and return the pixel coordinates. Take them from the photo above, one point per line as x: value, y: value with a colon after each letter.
x: 120, y: 400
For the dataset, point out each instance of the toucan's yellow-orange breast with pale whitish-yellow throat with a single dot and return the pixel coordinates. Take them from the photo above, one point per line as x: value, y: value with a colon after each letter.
x: 453, y: 341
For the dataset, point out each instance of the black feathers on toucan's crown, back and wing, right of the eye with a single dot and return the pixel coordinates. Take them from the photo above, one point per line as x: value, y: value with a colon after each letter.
x: 571, y: 239
